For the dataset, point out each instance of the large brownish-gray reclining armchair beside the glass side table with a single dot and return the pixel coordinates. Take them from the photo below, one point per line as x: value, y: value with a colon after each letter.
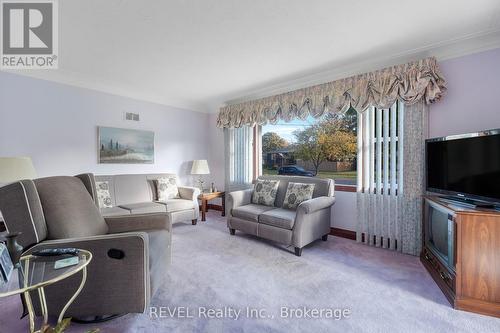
x: 59, y: 212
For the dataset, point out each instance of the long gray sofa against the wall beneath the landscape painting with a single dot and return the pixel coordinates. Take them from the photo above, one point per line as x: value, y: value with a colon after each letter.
x: 136, y: 194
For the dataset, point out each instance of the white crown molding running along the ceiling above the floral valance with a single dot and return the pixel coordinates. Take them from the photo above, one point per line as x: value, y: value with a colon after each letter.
x: 458, y: 47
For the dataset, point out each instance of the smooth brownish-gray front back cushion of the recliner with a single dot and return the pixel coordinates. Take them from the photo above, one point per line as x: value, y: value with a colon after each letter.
x: 69, y: 209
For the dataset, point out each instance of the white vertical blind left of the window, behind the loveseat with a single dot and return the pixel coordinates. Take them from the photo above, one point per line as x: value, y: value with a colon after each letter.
x: 239, y: 157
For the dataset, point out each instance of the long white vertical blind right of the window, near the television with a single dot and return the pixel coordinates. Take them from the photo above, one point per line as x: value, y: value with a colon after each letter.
x: 380, y: 172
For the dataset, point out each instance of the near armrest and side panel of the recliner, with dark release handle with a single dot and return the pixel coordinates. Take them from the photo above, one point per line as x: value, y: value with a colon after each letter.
x: 122, y: 284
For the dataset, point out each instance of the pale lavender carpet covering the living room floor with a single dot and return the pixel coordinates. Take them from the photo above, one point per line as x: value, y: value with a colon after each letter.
x: 381, y: 291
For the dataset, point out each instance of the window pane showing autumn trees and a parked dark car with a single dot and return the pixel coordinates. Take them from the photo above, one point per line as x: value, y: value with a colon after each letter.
x: 325, y: 147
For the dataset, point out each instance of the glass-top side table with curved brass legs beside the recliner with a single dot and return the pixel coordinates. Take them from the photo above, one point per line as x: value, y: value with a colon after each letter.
x: 34, y: 273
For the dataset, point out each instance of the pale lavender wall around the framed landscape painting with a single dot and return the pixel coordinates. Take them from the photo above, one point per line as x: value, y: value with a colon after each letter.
x: 56, y: 125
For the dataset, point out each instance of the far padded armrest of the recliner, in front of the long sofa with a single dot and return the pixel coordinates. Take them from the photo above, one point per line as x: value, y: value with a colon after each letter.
x: 141, y: 222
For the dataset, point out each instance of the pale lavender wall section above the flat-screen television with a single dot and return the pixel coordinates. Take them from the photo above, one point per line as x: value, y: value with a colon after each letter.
x: 473, y: 99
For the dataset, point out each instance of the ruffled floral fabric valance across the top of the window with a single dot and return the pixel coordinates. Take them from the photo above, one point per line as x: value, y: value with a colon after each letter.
x: 410, y: 83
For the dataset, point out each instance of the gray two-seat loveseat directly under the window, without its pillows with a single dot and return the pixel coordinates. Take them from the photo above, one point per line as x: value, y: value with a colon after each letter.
x: 298, y: 228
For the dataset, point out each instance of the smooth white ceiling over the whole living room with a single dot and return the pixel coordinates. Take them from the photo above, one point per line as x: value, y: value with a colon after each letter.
x: 201, y: 54
